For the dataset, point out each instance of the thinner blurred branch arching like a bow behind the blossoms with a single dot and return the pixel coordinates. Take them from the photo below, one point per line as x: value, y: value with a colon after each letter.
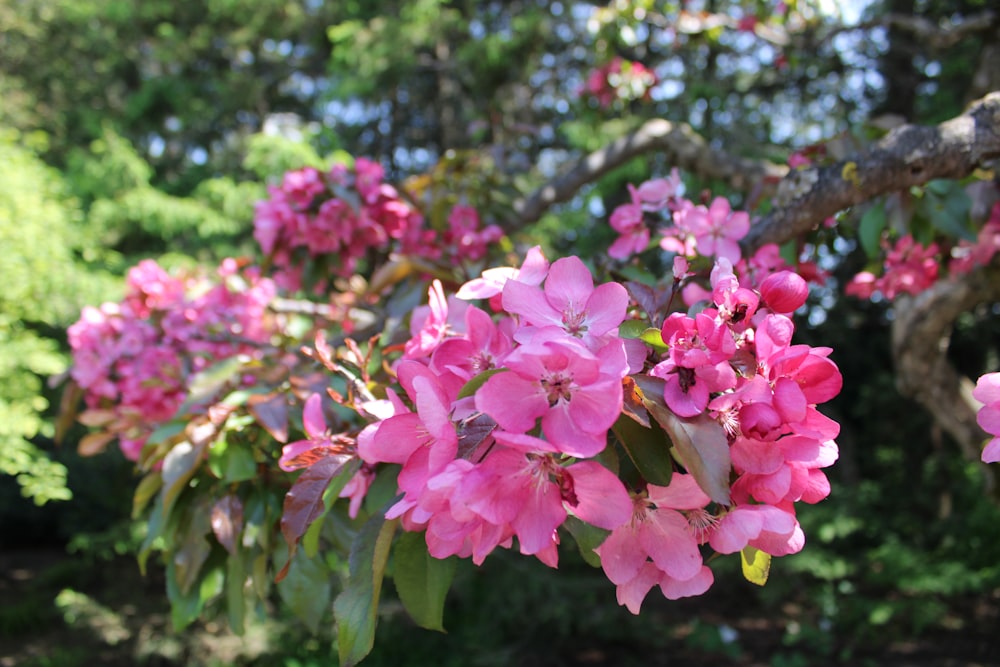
x: 682, y: 146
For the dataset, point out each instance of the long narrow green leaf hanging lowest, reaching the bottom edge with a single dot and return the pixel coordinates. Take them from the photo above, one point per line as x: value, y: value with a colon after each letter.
x: 356, y: 608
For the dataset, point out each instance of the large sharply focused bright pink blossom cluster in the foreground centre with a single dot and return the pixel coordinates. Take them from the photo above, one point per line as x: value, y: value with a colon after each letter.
x: 500, y: 421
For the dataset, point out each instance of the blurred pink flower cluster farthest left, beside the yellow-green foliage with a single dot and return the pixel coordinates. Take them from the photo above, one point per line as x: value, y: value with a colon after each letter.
x: 134, y: 359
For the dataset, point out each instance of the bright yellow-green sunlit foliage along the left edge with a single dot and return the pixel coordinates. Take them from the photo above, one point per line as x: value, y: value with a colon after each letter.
x: 45, y: 285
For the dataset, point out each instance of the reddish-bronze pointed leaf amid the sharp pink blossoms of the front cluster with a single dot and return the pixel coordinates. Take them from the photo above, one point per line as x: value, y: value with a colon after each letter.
x: 700, y: 442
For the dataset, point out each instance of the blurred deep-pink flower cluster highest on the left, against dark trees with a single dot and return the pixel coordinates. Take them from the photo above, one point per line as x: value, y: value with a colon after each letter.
x: 340, y: 216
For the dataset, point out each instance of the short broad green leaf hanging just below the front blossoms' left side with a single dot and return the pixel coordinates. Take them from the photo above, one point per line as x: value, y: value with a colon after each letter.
x: 422, y: 580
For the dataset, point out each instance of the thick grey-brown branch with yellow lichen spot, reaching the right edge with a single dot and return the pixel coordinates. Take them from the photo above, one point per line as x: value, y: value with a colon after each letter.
x: 909, y: 155
